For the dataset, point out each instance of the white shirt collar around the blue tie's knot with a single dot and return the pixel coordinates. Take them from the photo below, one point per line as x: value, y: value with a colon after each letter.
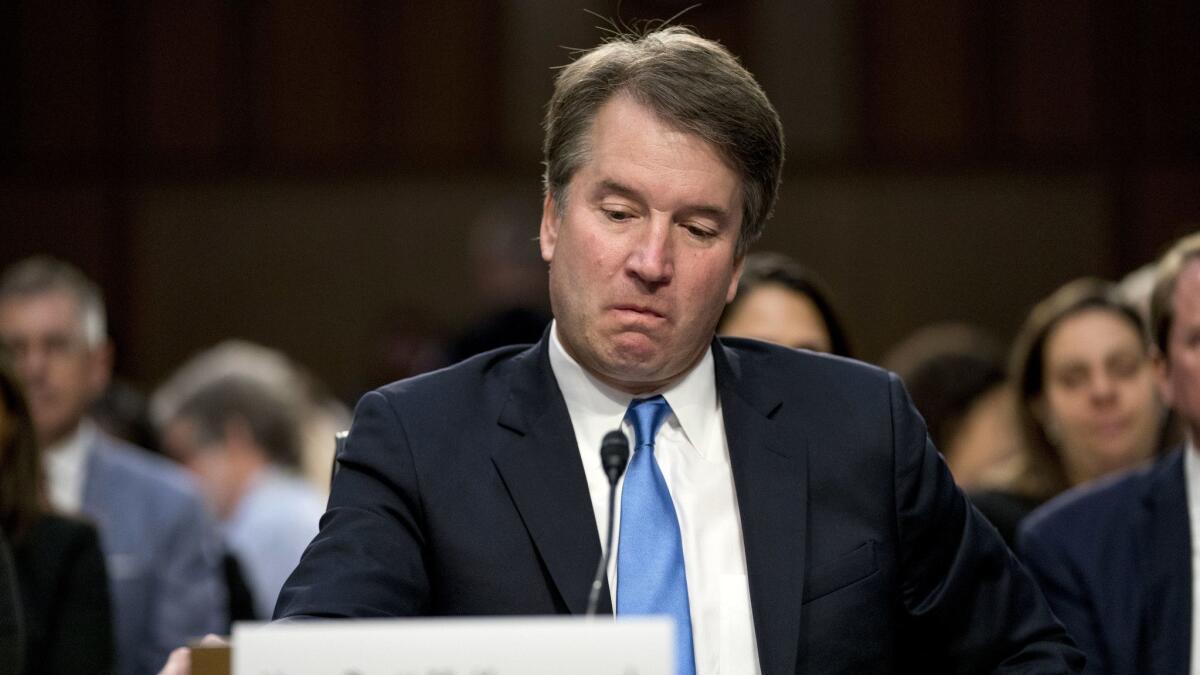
x: 693, y: 397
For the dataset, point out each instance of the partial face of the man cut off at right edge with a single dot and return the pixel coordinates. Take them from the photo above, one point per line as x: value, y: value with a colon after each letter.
x: 1180, y: 375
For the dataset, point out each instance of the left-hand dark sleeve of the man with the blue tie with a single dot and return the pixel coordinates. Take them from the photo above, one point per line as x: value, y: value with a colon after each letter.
x: 369, y: 558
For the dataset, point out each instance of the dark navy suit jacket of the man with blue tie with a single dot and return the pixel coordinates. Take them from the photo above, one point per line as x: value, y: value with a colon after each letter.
x: 461, y: 493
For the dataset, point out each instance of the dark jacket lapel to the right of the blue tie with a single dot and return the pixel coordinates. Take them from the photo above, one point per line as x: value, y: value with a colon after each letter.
x: 771, y: 480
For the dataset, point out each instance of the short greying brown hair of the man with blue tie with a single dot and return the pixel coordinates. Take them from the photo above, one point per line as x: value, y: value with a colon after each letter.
x: 692, y: 83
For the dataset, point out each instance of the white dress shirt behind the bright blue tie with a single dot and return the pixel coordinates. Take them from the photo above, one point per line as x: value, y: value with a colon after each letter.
x: 693, y: 453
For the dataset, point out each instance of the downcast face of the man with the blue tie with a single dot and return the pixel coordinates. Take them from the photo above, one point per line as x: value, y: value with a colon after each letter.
x: 644, y: 259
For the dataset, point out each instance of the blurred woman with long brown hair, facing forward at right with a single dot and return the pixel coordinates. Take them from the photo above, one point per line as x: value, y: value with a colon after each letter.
x: 1088, y: 402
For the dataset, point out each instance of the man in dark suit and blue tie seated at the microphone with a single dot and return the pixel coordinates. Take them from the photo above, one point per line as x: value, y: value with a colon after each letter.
x: 785, y: 509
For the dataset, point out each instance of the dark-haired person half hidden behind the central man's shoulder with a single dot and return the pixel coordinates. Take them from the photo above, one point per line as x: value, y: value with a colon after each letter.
x: 779, y: 301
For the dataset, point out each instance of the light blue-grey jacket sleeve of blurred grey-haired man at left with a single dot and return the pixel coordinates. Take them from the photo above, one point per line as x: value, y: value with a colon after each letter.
x: 190, y: 600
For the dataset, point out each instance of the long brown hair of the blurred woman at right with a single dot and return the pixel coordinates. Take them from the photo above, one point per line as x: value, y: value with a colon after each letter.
x: 1045, y: 474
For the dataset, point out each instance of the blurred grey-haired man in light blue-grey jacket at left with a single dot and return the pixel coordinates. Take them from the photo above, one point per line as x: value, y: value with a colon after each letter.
x: 161, y: 547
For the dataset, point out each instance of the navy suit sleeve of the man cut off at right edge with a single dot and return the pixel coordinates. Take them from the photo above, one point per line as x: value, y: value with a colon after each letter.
x: 1063, y: 586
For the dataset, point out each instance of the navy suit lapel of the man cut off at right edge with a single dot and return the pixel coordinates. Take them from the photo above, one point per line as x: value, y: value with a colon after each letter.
x: 1166, y: 549
